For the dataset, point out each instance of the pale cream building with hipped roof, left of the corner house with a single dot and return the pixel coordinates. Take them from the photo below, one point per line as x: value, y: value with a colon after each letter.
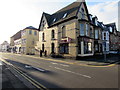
x: 24, y: 40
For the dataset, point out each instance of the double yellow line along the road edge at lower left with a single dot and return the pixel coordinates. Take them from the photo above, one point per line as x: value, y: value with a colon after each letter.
x: 32, y: 81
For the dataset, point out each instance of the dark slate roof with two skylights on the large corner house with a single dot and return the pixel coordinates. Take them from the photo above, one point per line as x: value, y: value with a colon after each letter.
x: 71, y: 11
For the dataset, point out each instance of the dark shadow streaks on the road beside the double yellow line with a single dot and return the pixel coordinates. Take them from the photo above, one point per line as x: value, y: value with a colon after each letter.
x: 28, y: 69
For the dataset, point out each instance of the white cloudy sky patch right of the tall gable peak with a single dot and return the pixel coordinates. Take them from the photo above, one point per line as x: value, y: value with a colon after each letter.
x: 105, y: 11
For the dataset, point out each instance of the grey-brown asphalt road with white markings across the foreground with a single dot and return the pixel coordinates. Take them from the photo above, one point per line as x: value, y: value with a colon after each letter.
x: 53, y: 74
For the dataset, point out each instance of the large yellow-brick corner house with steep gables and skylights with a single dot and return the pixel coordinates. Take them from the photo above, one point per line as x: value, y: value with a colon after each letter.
x: 68, y: 32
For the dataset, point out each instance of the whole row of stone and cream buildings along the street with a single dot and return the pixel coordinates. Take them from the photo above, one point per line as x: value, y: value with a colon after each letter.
x: 71, y: 32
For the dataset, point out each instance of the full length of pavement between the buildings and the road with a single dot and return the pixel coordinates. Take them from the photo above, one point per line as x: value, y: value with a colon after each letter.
x: 86, y: 61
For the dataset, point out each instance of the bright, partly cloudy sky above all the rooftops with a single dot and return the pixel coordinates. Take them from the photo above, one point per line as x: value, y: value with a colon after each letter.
x: 15, y: 15
